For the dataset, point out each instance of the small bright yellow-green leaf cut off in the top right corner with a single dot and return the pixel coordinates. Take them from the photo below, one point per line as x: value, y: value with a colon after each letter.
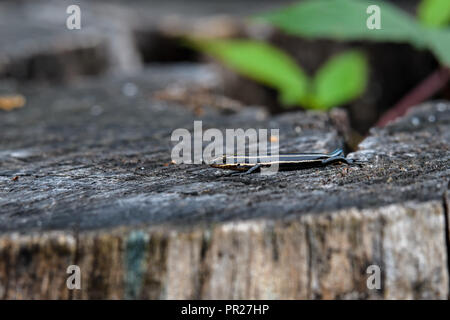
x: 434, y: 13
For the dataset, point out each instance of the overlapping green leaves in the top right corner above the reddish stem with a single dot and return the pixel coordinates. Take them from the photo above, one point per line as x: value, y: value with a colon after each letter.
x: 346, y: 20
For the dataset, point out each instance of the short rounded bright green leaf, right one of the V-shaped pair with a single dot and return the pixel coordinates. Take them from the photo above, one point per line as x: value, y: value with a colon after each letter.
x: 342, y: 79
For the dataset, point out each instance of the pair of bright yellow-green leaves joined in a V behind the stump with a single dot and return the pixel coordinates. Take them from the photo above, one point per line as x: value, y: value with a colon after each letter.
x: 341, y: 79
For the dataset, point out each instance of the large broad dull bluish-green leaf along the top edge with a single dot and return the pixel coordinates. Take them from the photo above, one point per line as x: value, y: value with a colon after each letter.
x: 345, y: 20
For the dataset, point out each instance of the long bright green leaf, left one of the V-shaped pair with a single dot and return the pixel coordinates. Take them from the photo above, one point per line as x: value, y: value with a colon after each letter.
x: 260, y: 62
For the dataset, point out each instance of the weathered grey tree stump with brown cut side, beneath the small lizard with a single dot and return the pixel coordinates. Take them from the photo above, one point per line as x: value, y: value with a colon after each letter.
x: 85, y: 179
